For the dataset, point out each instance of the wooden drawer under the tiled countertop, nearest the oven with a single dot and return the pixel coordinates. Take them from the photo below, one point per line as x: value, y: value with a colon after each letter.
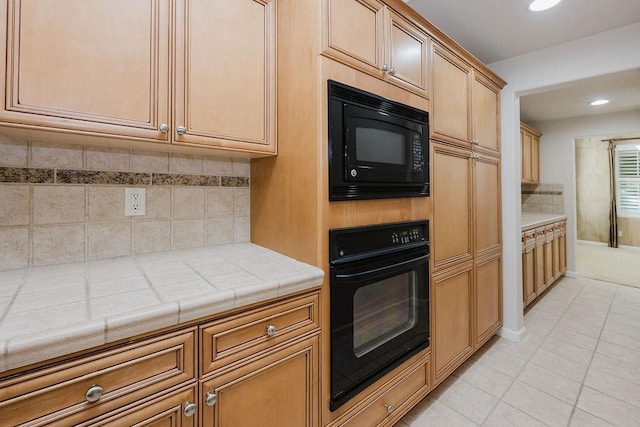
x: 229, y: 339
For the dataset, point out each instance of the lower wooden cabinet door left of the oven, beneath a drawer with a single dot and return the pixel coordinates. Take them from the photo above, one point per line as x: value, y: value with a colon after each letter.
x: 279, y: 389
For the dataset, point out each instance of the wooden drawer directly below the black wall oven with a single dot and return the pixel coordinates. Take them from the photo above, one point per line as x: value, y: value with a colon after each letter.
x: 395, y: 401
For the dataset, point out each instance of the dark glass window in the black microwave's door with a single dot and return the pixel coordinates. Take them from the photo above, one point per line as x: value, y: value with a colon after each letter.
x: 380, y: 146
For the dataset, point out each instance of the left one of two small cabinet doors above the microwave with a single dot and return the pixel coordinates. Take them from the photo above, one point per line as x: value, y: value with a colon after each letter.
x: 353, y: 33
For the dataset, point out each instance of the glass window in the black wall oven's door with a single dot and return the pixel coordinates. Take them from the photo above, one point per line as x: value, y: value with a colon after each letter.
x: 383, y: 310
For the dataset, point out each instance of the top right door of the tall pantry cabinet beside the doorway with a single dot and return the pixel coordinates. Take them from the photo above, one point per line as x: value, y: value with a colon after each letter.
x: 485, y: 97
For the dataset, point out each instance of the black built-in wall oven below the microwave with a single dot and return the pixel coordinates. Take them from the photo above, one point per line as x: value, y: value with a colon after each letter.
x: 379, y: 289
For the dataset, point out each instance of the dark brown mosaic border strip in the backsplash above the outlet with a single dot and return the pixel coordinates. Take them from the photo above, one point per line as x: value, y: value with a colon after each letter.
x: 71, y: 176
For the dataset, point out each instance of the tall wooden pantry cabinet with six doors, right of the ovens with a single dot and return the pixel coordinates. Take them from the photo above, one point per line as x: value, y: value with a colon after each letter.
x: 466, y: 197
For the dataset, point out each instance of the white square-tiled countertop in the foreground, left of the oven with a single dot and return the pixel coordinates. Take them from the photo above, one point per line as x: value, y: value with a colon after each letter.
x: 51, y: 311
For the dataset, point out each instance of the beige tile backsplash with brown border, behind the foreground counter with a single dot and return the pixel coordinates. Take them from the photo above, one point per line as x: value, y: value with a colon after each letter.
x: 65, y: 203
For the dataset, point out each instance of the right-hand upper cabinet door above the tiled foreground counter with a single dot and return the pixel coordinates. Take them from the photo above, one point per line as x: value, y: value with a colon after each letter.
x: 225, y: 74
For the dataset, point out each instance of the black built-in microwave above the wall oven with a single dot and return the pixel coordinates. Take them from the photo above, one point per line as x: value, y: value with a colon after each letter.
x: 378, y: 148
